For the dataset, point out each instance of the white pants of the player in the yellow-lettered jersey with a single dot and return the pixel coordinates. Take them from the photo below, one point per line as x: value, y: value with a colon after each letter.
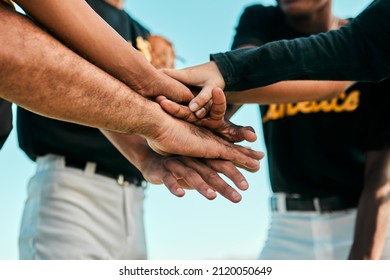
x: 310, y: 235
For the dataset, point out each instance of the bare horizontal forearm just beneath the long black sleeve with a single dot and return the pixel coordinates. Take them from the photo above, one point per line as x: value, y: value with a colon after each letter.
x: 289, y: 91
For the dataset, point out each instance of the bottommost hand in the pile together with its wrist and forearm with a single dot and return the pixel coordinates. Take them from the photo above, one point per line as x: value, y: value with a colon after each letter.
x: 179, y: 173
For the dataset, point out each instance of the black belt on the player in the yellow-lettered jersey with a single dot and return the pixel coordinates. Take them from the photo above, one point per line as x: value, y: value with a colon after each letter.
x: 293, y: 202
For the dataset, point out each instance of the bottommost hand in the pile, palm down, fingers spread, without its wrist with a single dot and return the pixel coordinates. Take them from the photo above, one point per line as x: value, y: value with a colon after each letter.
x: 178, y: 173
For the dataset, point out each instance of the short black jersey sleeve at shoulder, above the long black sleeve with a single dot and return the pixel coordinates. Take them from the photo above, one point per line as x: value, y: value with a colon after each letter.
x: 249, y: 30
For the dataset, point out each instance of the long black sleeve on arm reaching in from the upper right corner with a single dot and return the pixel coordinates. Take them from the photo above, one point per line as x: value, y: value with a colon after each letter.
x: 359, y: 51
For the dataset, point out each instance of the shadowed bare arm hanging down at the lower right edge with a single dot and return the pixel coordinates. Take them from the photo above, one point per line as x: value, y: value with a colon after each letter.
x: 374, y: 209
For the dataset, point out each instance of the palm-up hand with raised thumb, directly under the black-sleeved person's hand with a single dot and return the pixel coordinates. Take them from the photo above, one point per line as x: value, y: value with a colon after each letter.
x: 214, y: 121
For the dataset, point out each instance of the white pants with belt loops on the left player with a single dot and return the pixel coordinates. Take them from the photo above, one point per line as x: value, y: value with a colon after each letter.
x: 72, y: 215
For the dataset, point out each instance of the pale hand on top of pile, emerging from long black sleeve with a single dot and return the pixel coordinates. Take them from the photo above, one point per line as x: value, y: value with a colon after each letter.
x: 206, y: 77
